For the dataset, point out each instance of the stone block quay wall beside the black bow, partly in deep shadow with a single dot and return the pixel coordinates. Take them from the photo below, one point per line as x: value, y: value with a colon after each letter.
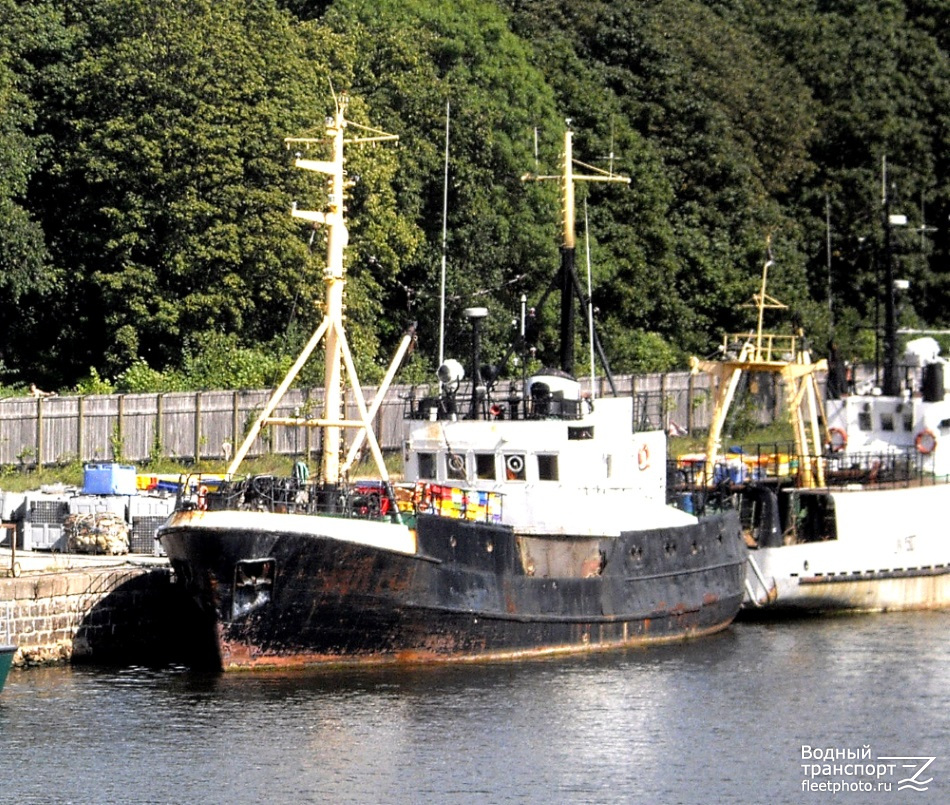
x: 112, y: 615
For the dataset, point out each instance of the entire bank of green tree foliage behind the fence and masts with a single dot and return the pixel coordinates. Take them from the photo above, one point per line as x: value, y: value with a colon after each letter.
x: 145, y: 239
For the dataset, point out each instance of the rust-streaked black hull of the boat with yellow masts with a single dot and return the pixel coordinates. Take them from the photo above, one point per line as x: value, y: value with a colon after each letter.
x: 273, y: 598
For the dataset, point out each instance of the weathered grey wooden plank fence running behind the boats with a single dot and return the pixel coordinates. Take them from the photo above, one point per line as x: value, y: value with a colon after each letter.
x: 211, y: 424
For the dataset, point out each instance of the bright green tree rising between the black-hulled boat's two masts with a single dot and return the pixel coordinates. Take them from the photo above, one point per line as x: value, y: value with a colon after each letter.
x: 411, y: 58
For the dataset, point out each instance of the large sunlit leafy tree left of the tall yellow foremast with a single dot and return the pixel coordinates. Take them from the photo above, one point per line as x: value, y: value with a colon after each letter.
x: 172, y: 186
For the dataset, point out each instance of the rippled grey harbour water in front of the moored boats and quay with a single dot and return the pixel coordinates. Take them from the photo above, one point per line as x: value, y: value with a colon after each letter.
x: 717, y: 720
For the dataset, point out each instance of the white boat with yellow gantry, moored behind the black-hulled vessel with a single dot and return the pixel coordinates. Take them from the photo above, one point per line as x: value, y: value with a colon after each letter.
x: 851, y: 518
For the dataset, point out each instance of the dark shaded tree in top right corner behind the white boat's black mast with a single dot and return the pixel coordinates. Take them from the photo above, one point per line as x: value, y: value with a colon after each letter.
x: 881, y: 76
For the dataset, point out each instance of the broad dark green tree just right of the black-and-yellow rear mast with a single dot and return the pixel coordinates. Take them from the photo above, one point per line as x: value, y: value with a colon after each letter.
x: 722, y: 132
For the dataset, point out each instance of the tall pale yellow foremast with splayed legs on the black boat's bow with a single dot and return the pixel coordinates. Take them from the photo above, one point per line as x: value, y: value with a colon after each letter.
x: 337, y: 355
